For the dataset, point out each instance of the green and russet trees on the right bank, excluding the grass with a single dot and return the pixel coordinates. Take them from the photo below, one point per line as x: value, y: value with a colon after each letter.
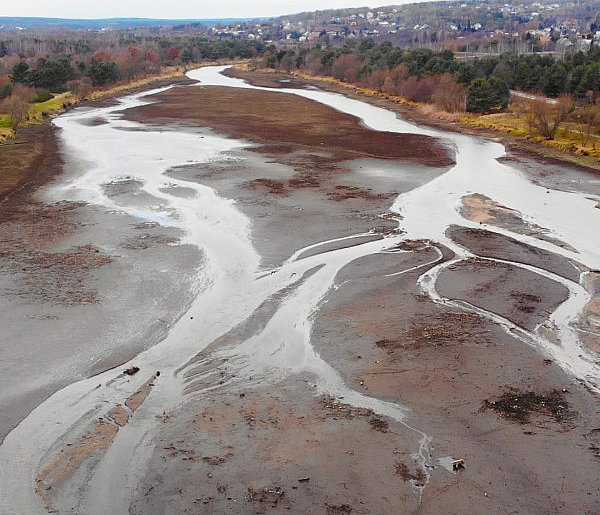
x: 476, y: 85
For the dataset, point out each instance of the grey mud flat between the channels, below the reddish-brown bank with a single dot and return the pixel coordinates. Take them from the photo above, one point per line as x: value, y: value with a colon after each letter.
x: 290, y: 217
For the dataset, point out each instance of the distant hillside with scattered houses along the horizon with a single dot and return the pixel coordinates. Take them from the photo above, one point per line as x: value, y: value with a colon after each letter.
x: 472, y: 26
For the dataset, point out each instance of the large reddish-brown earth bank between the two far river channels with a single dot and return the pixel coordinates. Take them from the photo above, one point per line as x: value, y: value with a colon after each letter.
x: 289, y: 120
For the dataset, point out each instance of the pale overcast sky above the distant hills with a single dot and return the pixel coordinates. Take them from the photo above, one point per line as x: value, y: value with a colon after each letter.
x: 175, y: 8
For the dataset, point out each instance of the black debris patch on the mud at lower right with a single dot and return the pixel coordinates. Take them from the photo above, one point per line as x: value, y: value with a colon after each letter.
x: 519, y: 406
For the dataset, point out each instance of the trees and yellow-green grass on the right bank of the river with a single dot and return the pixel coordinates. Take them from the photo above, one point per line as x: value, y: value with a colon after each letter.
x: 555, y: 103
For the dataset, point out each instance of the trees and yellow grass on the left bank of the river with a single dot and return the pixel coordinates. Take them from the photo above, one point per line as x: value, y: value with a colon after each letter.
x: 40, y: 77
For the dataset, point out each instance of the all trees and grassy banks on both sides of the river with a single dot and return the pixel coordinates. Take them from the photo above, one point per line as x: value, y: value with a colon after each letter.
x: 42, y: 75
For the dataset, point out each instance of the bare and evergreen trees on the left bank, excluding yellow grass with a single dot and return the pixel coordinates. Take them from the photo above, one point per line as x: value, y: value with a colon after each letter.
x: 24, y: 80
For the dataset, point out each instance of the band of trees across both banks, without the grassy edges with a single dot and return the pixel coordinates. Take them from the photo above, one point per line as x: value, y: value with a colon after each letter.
x: 30, y: 68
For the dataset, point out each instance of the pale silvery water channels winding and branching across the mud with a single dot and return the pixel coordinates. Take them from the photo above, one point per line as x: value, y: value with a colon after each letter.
x: 232, y: 285
